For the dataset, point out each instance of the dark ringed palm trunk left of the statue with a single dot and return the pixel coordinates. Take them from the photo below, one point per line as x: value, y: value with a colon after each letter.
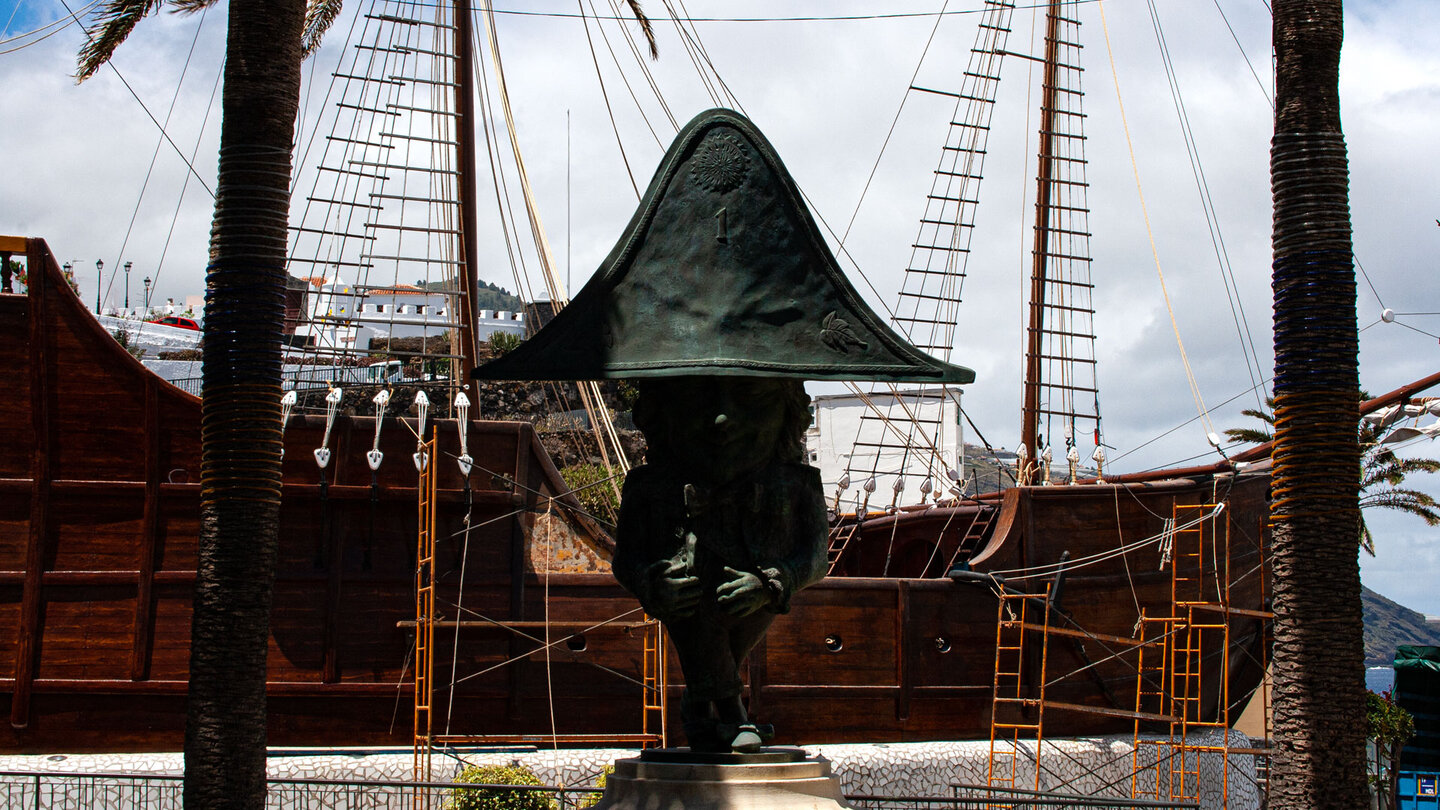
x: 241, y: 478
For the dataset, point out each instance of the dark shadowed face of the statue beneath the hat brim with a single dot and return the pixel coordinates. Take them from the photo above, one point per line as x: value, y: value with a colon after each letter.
x: 722, y: 427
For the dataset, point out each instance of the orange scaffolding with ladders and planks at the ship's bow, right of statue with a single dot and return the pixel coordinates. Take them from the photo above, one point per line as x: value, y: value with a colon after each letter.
x: 1173, y: 681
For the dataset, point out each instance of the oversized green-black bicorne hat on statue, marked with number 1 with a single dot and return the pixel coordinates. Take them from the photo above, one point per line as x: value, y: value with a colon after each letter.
x: 721, y: 272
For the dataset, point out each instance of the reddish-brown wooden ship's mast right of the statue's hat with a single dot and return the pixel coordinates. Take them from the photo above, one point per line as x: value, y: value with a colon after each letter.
x: 1045, y: 177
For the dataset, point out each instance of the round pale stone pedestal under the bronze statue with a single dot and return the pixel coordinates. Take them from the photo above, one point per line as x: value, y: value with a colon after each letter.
x: 675, y: 779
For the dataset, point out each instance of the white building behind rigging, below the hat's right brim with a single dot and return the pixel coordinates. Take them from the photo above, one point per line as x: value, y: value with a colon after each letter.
x: 914, y: 439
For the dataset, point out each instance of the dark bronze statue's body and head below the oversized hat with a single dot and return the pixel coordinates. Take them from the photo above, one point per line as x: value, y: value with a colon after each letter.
x: 721, y: 527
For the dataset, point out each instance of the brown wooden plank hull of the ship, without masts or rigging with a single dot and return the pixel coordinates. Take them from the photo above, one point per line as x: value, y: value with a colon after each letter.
x: 100, y: 522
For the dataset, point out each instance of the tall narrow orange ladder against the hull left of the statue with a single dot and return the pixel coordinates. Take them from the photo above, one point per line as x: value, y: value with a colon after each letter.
x: 426, y: 618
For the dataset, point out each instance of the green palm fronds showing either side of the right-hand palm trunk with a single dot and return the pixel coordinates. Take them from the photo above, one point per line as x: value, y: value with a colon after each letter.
x: 1382, y: 471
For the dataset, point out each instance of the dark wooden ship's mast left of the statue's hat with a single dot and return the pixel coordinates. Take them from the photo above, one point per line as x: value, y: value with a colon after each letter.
x: 466, y: 178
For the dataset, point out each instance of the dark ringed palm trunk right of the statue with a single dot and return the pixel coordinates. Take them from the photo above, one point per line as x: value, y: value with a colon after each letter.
x: 1320, y: 693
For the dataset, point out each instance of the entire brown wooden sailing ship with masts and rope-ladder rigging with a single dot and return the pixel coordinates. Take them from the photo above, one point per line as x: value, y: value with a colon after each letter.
x: 467, y: 599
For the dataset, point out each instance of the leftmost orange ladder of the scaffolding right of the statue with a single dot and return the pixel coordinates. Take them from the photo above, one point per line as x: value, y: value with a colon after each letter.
x: 1012, y: 695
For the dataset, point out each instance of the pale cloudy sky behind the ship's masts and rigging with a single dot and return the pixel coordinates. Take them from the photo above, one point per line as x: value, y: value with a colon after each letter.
x: 87, y: 169
